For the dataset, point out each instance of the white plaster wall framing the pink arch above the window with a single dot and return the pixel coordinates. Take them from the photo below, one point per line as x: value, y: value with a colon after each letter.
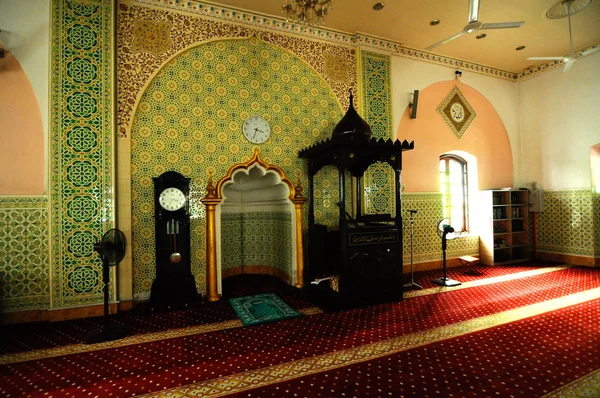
x: 409, y: 75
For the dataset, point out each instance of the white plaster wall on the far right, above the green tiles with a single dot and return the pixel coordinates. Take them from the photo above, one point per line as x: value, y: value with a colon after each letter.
x: 560, y: 115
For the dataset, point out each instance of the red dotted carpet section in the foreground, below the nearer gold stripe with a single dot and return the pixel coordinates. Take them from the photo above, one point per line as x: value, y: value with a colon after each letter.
x: 528, y: 358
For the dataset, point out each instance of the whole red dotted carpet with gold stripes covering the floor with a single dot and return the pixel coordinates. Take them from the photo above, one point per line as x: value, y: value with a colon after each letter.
x: 513, y: 331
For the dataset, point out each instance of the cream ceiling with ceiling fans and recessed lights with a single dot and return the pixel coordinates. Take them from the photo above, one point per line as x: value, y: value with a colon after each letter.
x: 407, y: 22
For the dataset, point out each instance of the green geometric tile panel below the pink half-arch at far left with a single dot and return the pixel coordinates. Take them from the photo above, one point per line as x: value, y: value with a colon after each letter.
x: 24, y: 265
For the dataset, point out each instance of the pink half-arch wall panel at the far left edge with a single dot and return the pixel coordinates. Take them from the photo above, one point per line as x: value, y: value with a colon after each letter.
x: 21, y: 133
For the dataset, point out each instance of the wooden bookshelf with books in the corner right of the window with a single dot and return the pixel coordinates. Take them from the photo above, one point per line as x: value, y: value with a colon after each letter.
x: 504, y: 235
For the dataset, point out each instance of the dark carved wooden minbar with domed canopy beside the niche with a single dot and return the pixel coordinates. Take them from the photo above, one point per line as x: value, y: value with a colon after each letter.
x: 357, y: 261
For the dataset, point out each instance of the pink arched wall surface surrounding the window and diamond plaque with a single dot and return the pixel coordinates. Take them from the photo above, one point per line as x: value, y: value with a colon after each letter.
x: 486, y: 139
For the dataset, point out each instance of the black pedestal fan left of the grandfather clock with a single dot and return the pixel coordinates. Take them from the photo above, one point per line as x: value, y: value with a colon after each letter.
x: 111, y: 250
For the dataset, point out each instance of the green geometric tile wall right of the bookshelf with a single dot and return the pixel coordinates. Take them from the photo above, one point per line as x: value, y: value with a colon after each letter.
x: 569, y: 222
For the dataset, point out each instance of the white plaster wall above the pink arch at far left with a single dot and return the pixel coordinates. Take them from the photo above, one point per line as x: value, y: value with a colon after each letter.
x: 25, y: 33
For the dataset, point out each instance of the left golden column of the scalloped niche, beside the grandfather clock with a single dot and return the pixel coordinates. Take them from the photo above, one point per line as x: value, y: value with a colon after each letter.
x: 211, y: 201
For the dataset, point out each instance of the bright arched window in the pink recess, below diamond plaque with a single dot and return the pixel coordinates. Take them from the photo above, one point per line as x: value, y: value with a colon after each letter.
x: 454, y: 188
